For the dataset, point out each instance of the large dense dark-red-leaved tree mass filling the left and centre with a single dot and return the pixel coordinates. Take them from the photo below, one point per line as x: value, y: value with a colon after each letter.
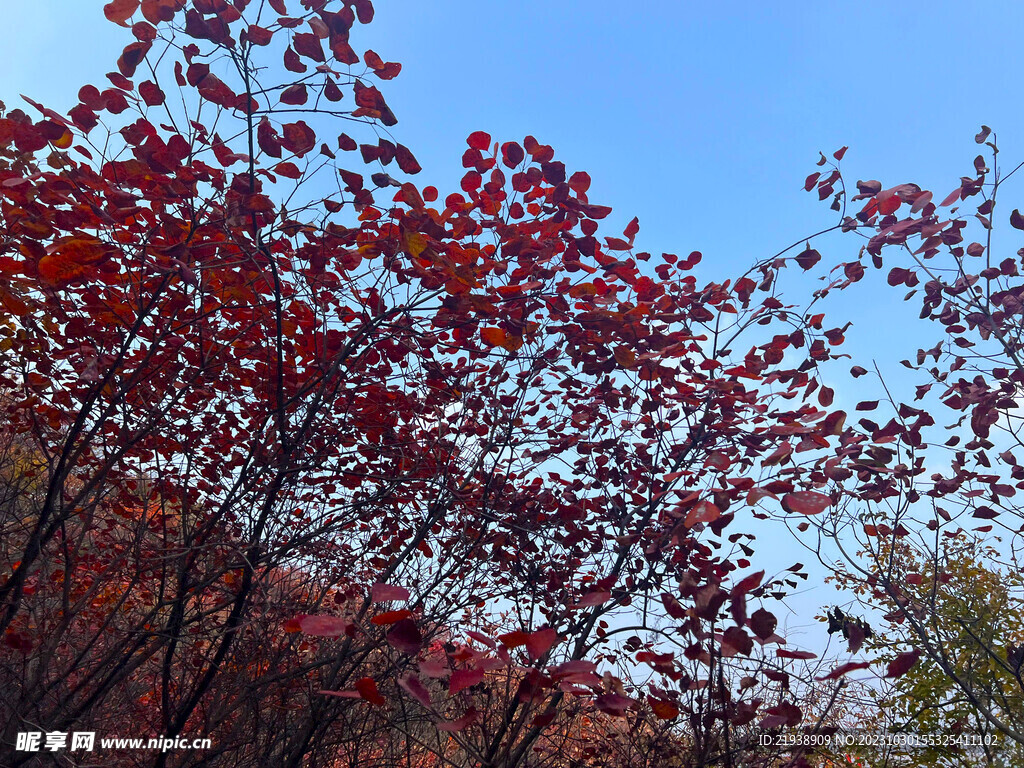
x: 237, y: 420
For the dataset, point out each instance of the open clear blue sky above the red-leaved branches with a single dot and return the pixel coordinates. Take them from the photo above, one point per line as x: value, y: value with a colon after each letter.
x: 703, y: 121
